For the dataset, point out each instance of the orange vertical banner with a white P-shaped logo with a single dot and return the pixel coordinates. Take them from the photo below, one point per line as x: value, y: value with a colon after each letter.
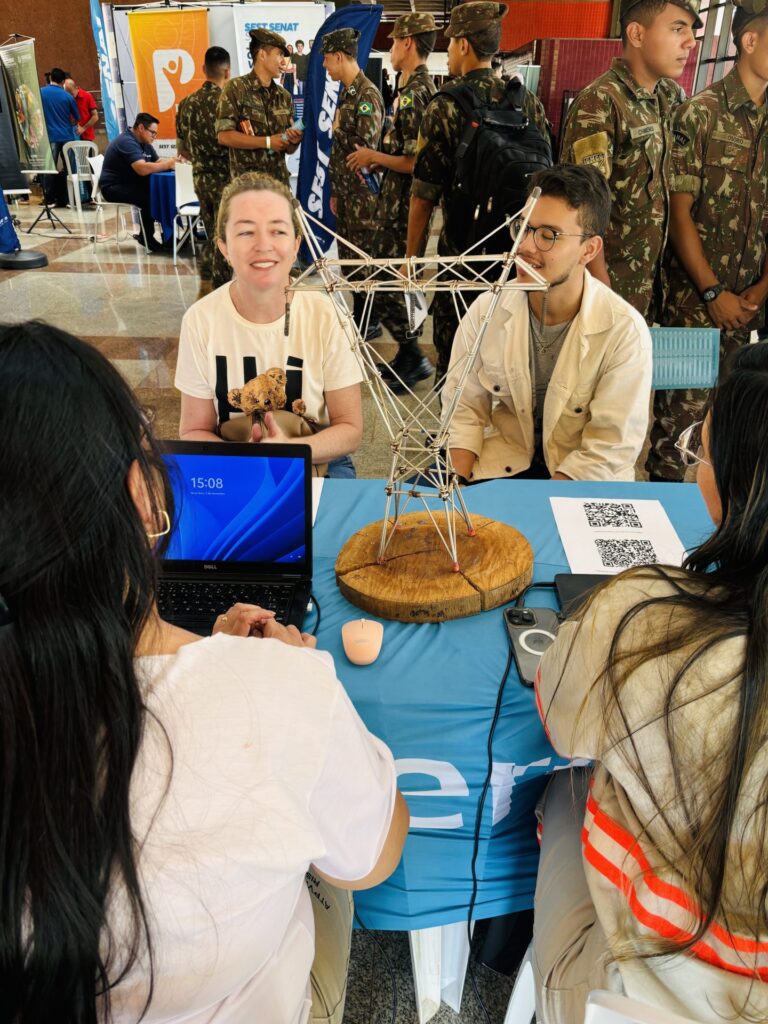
x: 168, y: 50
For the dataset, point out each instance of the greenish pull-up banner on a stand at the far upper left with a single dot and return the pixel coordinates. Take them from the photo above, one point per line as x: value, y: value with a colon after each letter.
x: 20, y: 71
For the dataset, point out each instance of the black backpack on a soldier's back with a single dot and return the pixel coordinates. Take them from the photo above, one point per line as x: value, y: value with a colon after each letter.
x: 500, y: 149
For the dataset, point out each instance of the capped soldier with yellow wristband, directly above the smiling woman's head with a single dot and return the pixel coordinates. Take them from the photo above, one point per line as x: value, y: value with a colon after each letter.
x: 255, y: 114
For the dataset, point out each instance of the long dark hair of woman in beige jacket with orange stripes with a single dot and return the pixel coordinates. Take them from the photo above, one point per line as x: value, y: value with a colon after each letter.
x: 719, y: 596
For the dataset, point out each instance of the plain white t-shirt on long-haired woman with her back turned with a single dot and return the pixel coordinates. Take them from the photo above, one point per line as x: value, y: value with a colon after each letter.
x: 273, y: 771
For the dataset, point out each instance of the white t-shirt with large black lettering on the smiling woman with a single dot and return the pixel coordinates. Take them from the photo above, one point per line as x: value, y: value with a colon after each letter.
x: 220, y: 350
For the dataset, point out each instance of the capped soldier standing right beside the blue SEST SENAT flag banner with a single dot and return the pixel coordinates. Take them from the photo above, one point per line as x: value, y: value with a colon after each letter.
x: 359, y: 120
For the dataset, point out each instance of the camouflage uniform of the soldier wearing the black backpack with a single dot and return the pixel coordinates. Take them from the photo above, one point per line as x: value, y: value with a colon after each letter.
x: 440, y: 136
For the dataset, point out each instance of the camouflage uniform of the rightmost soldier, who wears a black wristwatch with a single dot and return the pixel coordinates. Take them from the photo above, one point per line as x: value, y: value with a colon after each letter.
x: 720, y: 157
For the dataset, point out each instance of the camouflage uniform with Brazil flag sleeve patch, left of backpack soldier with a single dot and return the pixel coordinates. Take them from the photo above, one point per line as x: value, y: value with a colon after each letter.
x: 392, y: 209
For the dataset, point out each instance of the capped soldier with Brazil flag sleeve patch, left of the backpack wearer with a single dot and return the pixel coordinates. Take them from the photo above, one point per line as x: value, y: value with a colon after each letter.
x: 414, y: 38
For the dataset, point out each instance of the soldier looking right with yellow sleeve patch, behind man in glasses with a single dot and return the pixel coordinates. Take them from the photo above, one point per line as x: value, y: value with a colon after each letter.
x: 622, y: 124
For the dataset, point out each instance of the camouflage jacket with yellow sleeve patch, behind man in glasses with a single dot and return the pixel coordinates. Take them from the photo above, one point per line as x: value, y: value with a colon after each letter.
x: 626, y: 132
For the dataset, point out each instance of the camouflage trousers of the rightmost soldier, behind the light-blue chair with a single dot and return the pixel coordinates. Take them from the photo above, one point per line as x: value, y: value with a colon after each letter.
x: 674, y: 410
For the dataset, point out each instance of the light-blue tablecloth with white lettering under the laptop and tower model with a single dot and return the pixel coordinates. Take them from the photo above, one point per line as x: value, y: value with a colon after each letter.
x: 432, y: 695
